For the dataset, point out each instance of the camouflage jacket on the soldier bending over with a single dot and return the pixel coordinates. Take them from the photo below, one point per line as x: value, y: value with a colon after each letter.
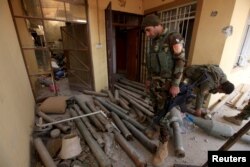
x: 215, y: 77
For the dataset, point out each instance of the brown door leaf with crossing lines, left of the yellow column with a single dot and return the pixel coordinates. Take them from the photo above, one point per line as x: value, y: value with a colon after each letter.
x: 76, y: 50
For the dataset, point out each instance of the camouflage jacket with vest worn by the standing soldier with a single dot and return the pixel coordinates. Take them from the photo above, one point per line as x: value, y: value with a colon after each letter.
x: 161, y: 60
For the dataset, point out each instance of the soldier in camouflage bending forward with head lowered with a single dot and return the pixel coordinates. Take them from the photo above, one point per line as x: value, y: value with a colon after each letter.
x: 215, y: 81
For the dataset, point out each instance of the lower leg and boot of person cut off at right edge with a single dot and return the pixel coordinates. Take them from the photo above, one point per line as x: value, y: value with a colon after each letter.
x: 243, y: 115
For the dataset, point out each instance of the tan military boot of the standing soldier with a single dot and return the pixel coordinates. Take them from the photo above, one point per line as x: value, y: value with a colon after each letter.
x: 161, y: 154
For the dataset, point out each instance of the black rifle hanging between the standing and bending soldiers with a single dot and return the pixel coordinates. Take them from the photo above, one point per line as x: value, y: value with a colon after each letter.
x: 180, y: 100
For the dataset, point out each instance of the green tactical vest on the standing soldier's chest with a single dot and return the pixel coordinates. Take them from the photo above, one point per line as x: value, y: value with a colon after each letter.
x: 161, y: 62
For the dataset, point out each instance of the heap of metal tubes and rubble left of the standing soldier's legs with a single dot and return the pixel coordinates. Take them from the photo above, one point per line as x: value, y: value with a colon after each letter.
x: 93, y: 125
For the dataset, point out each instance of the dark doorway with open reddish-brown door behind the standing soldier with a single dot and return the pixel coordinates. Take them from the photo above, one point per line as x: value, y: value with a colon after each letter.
x: 123, y: 45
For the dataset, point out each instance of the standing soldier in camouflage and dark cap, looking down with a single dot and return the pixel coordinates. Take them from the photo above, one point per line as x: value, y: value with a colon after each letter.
x: 165, y: 64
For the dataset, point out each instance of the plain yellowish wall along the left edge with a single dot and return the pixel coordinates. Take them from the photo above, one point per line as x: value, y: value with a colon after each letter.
x: 16, y: 99
